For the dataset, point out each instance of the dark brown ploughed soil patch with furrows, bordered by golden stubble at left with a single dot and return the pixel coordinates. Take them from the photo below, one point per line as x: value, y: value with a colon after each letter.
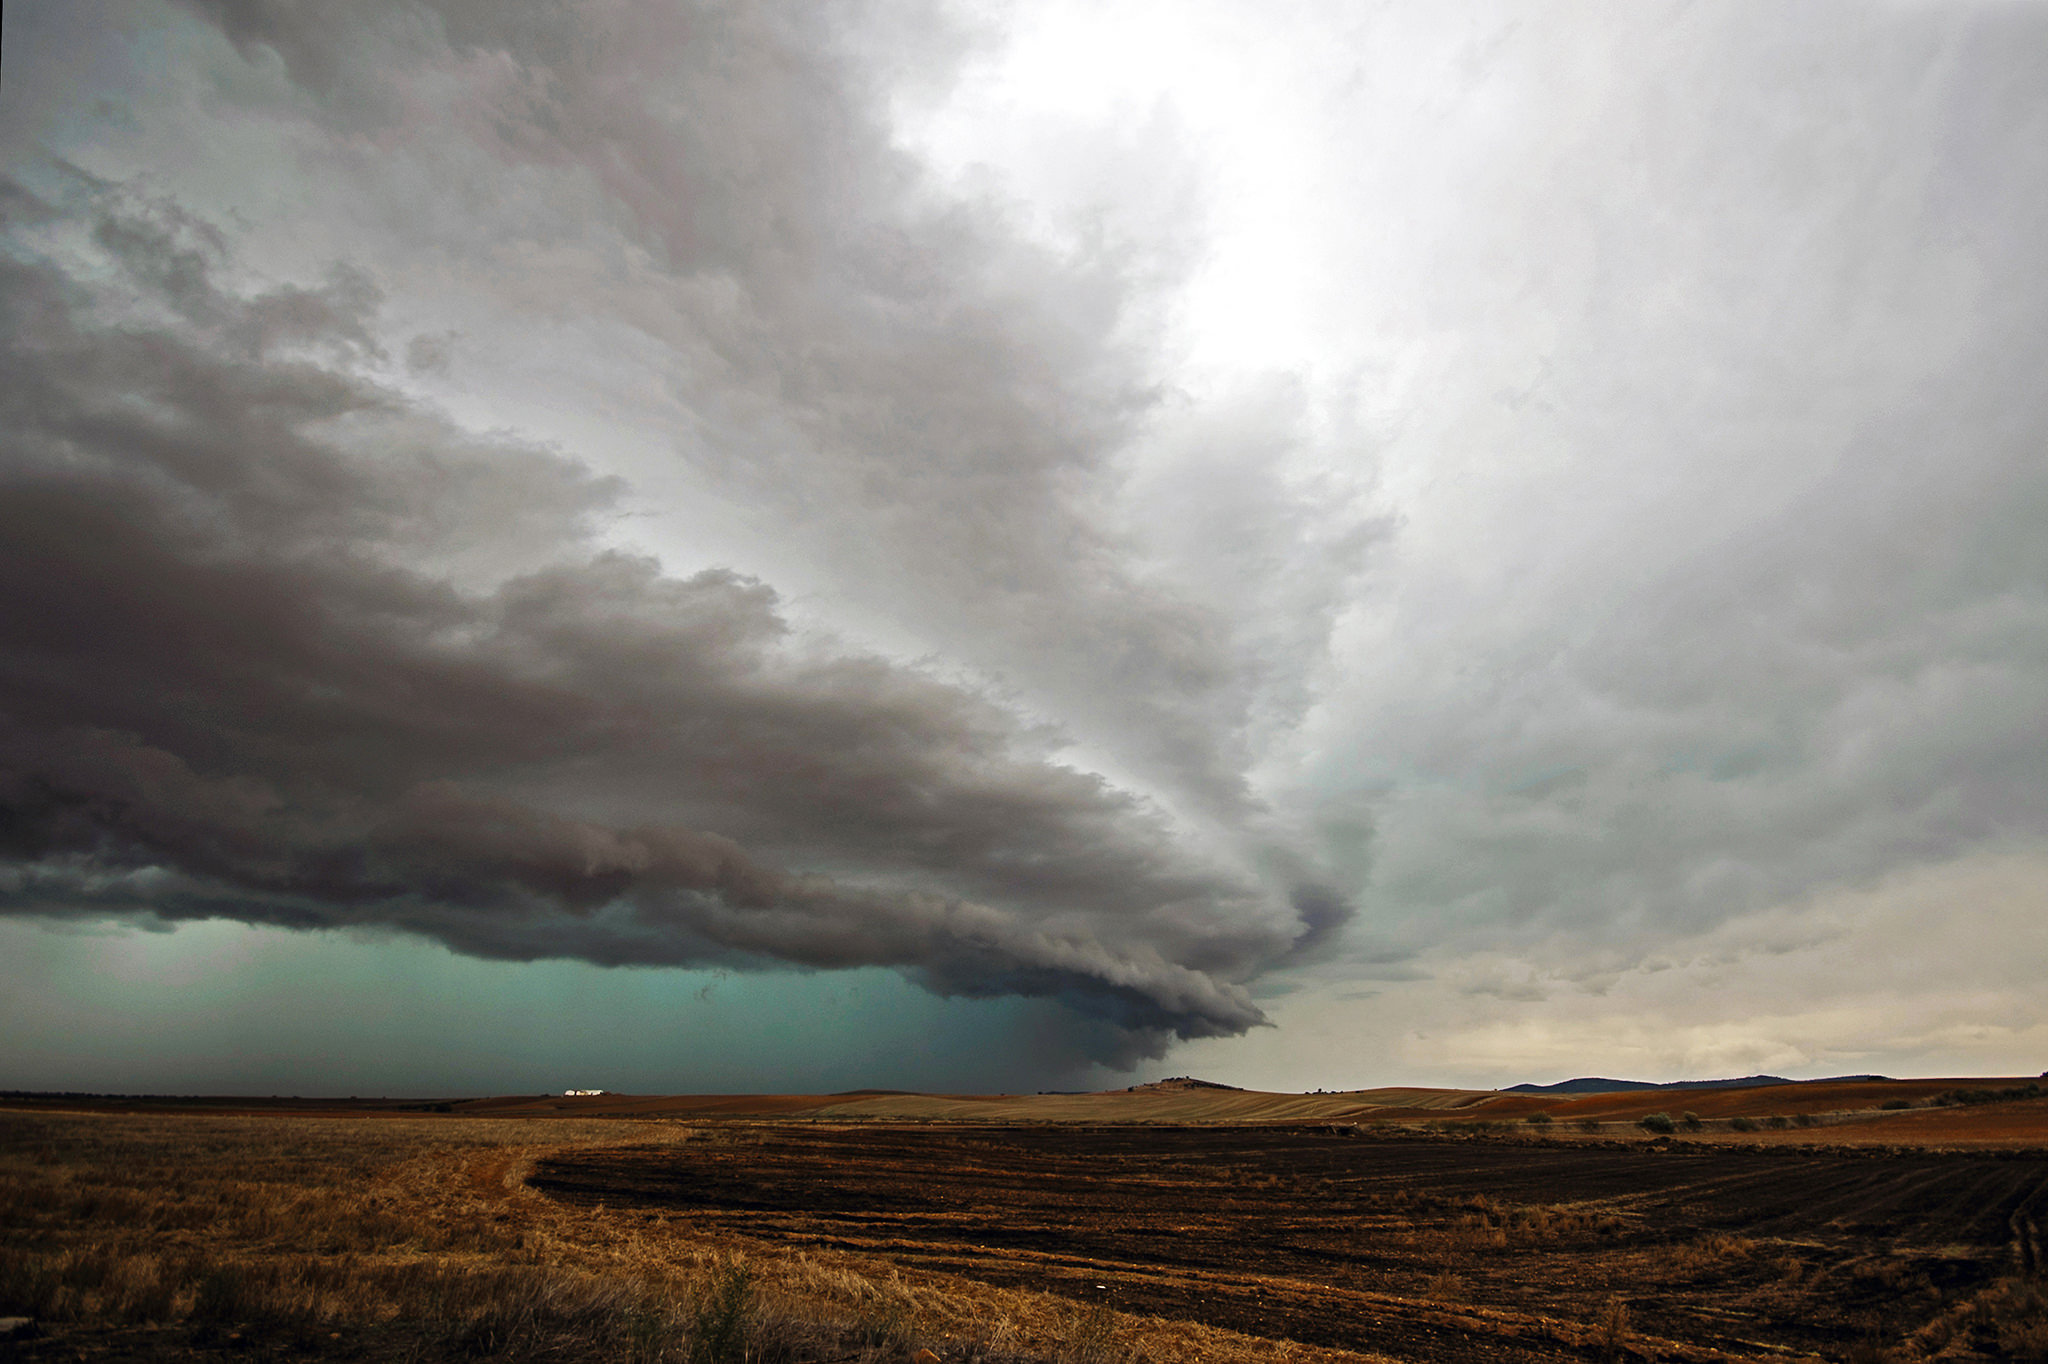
x: 1455, y: 1250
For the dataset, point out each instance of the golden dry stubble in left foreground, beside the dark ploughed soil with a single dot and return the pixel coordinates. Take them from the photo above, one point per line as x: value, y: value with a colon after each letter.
x: 138, y: 1236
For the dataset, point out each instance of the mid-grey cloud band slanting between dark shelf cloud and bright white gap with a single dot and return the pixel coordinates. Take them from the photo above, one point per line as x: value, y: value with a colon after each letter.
x: 929, y: 400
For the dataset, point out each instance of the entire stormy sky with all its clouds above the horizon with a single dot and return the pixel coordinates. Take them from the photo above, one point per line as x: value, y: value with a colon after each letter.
x: 787, y: 548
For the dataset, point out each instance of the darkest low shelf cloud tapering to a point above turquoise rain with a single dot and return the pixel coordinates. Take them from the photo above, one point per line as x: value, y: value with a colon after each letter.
x: 288, y: 648
